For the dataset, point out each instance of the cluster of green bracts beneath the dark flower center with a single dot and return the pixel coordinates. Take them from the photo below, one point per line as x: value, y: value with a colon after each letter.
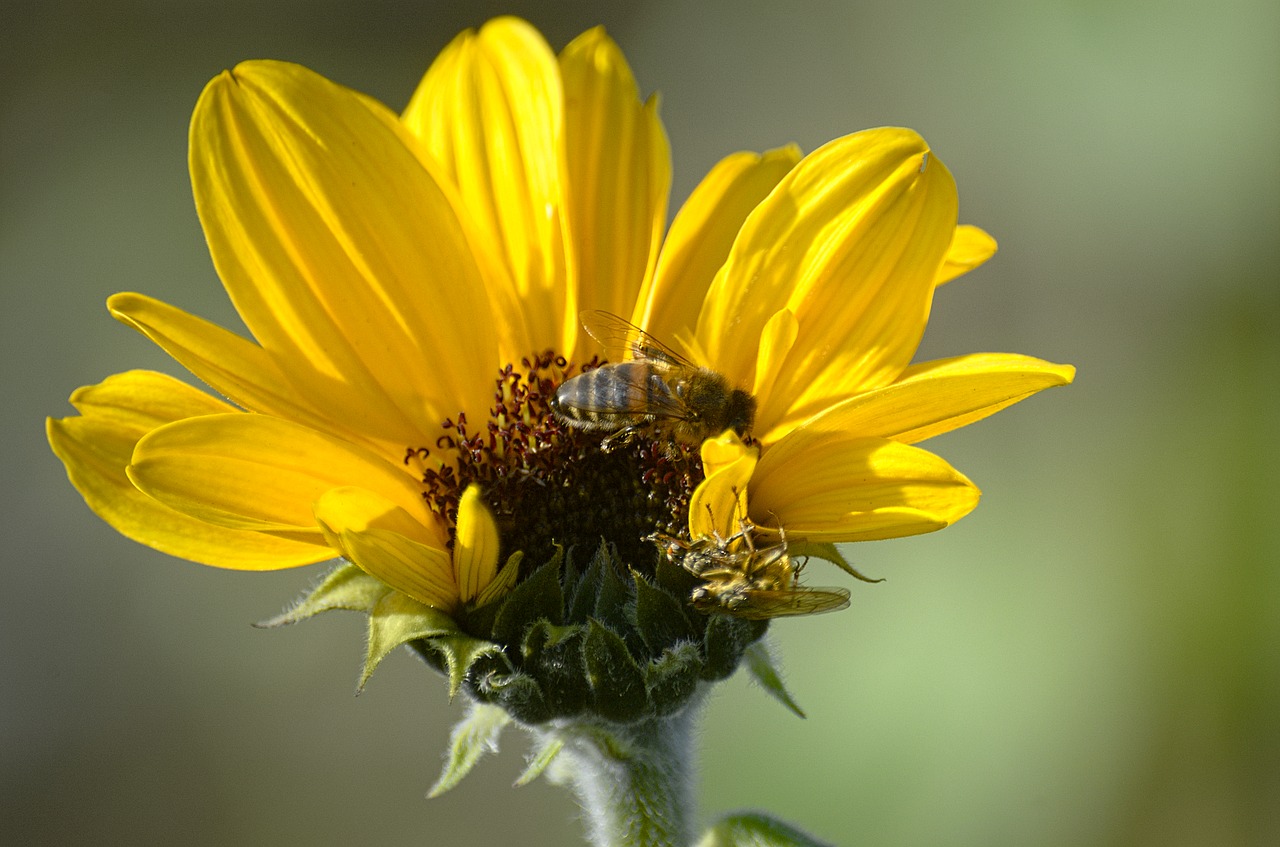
x: 583, y: 635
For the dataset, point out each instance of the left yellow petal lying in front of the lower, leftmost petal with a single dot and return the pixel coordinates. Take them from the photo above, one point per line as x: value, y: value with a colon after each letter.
x: 258, y: 473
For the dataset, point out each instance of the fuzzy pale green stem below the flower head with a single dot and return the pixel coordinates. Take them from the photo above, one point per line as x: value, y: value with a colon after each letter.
x: 633, y: 781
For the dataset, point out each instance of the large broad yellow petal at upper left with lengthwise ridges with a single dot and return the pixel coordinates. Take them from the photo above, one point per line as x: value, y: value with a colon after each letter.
x: 341, y: 253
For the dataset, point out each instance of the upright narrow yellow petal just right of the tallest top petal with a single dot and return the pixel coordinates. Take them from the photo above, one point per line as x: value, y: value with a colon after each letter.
x: 619, y: 175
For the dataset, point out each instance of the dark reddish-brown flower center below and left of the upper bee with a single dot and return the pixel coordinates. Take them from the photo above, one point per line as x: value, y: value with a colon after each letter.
x: 550, y: 486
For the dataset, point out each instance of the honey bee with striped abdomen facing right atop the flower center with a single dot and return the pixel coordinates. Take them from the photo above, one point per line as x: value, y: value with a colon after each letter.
x: 653, y: 388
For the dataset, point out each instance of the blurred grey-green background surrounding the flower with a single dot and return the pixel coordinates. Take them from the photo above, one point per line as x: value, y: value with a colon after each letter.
x: 1092, y: 658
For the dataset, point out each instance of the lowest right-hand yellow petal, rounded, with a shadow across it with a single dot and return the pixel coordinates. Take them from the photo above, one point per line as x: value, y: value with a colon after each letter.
x: 835, y: 487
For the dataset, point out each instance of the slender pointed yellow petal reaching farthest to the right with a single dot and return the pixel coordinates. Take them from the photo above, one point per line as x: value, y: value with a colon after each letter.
x: 941, y: 396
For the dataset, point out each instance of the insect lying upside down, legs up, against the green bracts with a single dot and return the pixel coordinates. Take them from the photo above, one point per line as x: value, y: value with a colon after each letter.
x: 747, y: 582
